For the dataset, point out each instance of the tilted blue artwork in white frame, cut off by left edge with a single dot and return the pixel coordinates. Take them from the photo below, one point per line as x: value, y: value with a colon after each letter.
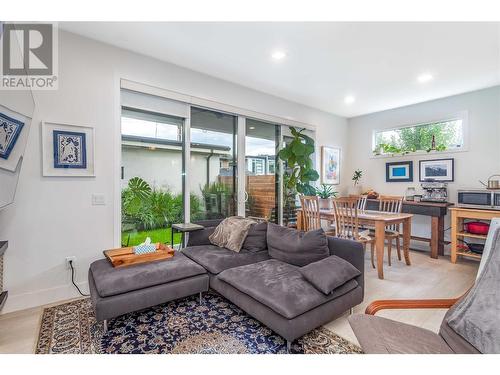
x: 14, y: 128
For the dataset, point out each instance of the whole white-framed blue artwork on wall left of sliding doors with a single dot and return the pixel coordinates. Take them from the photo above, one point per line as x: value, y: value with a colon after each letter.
x: 68, y: 150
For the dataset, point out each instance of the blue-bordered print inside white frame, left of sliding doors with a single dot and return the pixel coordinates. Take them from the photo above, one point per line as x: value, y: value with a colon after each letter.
x: 70, y: 149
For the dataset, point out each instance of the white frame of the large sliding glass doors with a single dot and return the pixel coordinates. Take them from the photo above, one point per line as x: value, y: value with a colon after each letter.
x: 180, y: 106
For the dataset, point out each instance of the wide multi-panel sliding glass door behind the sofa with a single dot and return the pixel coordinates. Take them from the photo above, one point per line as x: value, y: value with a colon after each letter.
x: 159, y: 168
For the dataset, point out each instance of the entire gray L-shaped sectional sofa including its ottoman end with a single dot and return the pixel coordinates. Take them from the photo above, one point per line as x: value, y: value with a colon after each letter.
x: 292, y: 282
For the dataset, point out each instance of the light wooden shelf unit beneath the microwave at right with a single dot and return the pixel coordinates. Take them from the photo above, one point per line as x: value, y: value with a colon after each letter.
x: 458, y: 216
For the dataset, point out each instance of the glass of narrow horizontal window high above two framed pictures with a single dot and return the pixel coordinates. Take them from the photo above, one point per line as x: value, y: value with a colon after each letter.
x: 438, y: 136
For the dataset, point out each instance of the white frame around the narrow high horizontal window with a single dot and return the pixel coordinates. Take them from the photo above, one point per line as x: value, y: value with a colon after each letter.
x: 462, y: 115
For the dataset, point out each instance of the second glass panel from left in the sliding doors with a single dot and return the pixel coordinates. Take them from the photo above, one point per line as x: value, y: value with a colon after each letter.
x: 213, y: 164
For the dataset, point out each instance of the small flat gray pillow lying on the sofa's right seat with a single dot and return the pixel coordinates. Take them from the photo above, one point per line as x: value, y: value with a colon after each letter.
x: 329, y: 273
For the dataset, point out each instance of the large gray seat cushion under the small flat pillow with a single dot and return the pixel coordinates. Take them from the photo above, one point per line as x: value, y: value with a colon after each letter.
x: 280, y: 286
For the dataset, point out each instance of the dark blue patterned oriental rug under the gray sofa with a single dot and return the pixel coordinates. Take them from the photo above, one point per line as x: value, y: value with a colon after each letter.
x: 180, y: 327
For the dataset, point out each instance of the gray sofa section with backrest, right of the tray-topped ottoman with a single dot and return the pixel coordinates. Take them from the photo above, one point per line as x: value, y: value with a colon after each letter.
x: 265, y: 282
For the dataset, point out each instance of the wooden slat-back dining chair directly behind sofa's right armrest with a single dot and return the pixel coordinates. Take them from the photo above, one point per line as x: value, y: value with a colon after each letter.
x: 347, y: 223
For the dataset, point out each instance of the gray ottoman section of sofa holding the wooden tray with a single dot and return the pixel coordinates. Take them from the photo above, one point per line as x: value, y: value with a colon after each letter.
x: 117, y: 291
